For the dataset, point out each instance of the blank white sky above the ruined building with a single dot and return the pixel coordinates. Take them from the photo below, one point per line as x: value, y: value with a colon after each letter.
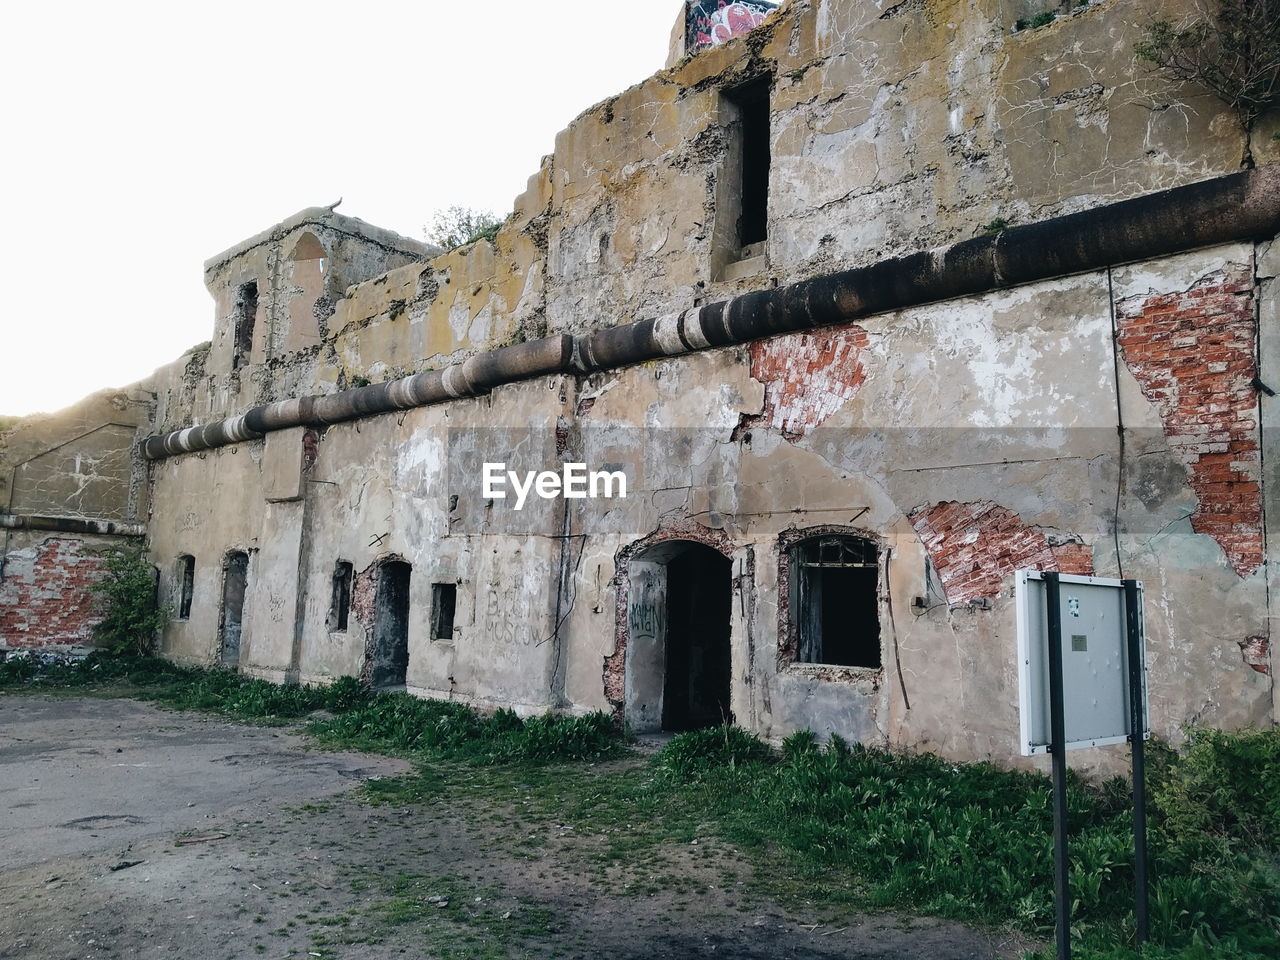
x: 141, y: 138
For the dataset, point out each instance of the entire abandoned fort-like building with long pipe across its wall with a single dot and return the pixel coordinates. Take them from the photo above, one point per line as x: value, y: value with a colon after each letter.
x: 868, y: 307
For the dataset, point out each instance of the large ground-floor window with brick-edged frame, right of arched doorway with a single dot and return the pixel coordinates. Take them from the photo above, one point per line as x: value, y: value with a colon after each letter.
x: 807, y: 614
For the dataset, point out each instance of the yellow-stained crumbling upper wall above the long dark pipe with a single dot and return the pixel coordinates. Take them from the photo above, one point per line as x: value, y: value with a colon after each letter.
x: 895, y: 127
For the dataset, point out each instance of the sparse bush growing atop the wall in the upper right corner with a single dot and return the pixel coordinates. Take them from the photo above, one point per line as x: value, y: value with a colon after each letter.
x: 1232, y: 49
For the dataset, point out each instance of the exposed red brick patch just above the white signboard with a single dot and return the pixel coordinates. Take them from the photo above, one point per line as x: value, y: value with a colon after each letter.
x: 976, y: 546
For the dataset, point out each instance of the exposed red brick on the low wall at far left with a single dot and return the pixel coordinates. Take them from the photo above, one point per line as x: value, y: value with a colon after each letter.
x: 45, y: 601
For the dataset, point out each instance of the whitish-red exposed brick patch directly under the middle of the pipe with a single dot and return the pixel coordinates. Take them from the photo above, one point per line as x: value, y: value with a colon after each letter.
x: 808, y: 377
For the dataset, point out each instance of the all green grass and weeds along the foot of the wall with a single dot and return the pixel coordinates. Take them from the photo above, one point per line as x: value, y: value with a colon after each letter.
x: 835, y: 825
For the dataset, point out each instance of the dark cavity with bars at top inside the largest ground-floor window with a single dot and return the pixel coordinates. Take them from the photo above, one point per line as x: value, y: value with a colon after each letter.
x: 834, y: 601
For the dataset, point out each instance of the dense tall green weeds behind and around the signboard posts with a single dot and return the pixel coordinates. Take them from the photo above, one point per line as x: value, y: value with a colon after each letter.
x: 973, y: 843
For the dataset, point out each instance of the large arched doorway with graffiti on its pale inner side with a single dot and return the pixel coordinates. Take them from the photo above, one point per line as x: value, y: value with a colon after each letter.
x: 678, y: 660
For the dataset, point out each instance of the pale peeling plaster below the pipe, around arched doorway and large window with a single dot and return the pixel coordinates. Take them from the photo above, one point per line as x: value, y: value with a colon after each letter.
x: 1008, y: 399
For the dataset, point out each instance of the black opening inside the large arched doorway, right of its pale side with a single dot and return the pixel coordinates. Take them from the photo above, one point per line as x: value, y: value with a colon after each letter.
x: 700, y: 604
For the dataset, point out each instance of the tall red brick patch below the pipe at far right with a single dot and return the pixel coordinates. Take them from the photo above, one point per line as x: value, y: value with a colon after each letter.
x: 1194, y: 355
